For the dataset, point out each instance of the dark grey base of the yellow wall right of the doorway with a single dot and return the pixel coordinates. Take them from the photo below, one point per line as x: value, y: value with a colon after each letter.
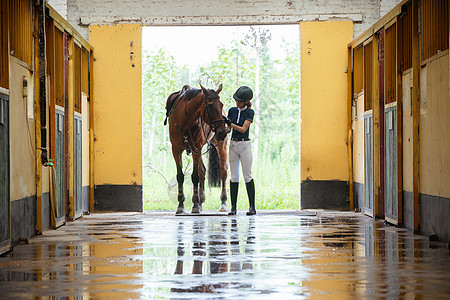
x: 325, y: 194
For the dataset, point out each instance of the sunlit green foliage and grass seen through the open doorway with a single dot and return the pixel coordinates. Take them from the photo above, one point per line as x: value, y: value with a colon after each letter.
x: 278, y: 175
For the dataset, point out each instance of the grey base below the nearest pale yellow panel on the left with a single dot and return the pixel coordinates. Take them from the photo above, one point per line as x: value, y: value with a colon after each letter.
x: 23, y: 218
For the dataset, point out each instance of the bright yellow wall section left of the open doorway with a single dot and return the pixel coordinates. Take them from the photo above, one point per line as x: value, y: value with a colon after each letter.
x: 117, y: 102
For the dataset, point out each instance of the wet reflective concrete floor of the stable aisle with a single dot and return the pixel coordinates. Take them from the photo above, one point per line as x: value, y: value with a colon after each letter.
x: 273, y: 255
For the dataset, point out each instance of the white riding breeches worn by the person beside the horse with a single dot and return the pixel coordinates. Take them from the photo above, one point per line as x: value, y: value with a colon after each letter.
x: 240, y: 151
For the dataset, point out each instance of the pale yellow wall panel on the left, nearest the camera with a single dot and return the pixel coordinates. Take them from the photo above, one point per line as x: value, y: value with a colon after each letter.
x: 22, y: 140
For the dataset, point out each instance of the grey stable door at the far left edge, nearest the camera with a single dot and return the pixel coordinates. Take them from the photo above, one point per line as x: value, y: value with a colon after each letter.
x: 5, y: 214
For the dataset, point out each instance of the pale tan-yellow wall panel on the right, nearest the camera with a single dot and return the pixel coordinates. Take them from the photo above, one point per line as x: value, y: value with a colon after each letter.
x: 434, y: 129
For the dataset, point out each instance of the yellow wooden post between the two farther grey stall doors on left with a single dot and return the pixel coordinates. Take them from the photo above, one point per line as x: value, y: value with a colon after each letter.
x: 70, y: 131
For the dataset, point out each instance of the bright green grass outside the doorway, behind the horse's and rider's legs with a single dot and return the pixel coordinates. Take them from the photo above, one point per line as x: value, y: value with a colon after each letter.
x: 277, y: 184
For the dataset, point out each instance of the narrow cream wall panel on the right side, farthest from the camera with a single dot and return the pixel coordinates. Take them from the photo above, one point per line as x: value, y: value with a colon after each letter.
x: 358, y: 141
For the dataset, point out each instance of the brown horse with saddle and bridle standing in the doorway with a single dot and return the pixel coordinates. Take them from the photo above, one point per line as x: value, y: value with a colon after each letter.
x: 193, y: 115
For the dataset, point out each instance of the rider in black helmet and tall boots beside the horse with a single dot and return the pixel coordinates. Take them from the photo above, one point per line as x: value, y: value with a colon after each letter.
x: 239, y: 119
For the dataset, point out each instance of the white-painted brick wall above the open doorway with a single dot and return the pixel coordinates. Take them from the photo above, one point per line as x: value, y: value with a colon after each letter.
x: 82, y: 13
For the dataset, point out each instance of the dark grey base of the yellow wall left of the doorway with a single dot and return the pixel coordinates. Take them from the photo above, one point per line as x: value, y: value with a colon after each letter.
x: 111, y: 197
